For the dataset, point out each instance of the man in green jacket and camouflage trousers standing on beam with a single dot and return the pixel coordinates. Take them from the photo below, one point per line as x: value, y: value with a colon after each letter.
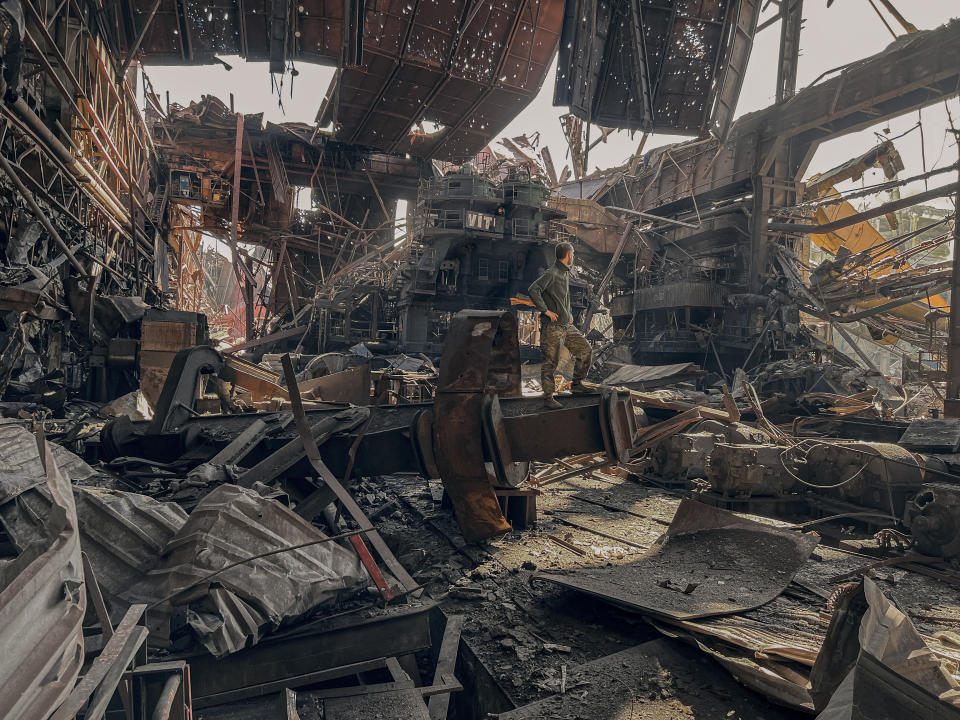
x: 551, y: 295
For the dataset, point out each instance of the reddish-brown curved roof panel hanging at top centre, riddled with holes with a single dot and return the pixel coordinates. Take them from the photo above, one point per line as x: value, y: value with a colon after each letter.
x: 468, y: 65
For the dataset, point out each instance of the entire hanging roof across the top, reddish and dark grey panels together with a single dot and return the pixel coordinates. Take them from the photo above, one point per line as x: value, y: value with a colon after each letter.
x: 470, y: 66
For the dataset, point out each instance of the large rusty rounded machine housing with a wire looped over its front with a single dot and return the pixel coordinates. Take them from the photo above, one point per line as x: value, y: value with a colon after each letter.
x: 874, y: 475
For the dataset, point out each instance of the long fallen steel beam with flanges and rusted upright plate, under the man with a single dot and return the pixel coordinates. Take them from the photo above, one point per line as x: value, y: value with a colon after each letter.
x: 478, y: 434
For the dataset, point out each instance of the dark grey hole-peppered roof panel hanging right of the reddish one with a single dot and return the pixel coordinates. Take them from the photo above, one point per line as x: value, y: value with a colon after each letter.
x: 673, y: 66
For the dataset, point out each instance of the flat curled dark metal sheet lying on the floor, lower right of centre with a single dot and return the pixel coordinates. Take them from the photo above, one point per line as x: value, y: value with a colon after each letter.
x: 709, y: 562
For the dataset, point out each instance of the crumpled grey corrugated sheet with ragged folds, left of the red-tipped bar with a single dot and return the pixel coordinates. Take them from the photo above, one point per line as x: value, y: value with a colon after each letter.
x: 237, y: 606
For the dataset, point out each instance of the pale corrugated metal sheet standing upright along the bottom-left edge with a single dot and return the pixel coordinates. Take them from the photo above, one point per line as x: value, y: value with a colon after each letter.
x: 43, y: 599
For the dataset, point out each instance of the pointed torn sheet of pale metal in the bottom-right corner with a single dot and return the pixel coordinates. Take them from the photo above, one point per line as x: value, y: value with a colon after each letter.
x: 896, y: 675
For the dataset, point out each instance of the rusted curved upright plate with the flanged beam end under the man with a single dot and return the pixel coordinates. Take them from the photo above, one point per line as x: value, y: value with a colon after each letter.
x: 481, y: 363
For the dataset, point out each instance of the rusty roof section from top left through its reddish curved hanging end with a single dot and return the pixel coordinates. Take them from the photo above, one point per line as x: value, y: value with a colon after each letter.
x: 470, y: 66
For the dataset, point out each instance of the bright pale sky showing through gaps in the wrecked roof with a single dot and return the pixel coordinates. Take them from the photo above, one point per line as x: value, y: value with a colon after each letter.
x: 847, y: 31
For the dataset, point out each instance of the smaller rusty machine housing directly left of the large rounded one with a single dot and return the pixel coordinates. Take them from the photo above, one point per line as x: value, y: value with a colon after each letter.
x: 748, y: 470
